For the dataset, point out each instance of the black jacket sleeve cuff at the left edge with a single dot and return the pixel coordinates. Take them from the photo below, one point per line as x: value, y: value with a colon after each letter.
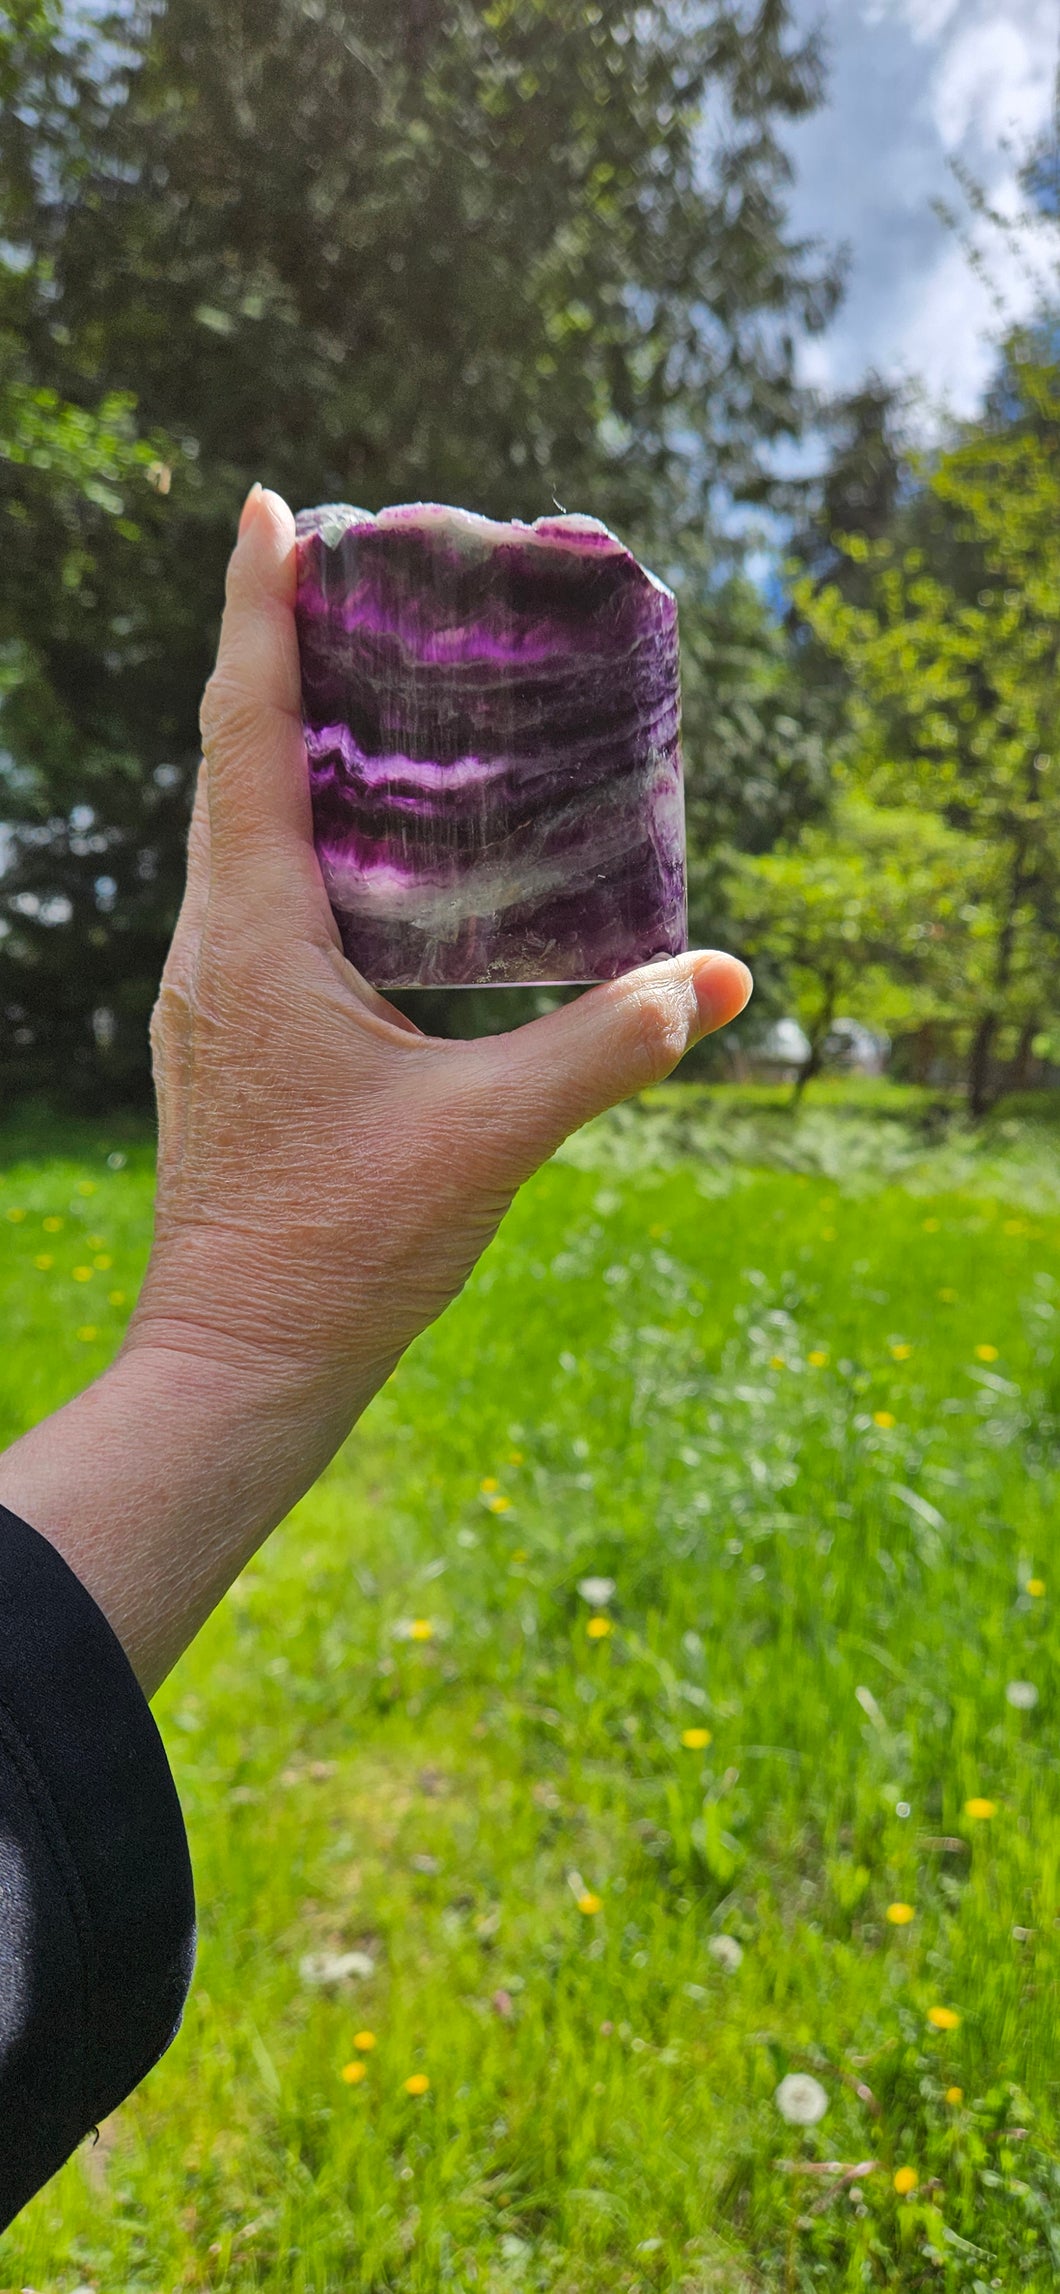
x: 98, y: 1912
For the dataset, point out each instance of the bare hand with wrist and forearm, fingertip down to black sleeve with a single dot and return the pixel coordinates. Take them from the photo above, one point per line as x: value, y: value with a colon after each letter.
x: 327, y: 1173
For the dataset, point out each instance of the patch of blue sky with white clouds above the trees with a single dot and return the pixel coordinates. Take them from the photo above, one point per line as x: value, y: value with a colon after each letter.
x: 912, y: 86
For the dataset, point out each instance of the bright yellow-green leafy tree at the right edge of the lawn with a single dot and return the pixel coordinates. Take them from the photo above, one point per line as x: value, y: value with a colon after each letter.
x: 958, y: 696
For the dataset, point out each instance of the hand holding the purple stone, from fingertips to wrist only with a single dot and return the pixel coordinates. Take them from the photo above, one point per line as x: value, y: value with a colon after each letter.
x: 327, y: 1173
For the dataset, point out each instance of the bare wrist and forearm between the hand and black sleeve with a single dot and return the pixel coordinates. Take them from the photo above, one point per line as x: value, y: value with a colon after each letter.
x: 162, y: 1481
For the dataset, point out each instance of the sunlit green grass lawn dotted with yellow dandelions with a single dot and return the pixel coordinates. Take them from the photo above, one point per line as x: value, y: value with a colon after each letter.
x: 522, y: 1901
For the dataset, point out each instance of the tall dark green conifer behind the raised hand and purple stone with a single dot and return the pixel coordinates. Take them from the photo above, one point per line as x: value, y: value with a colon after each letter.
x: 458, y: 249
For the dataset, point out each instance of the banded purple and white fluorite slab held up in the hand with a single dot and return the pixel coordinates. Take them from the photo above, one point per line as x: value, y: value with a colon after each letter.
x: 492, y: 721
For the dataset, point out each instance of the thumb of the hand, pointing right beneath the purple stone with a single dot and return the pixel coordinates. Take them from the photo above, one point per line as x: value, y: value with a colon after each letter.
x: 561, y: 1070
